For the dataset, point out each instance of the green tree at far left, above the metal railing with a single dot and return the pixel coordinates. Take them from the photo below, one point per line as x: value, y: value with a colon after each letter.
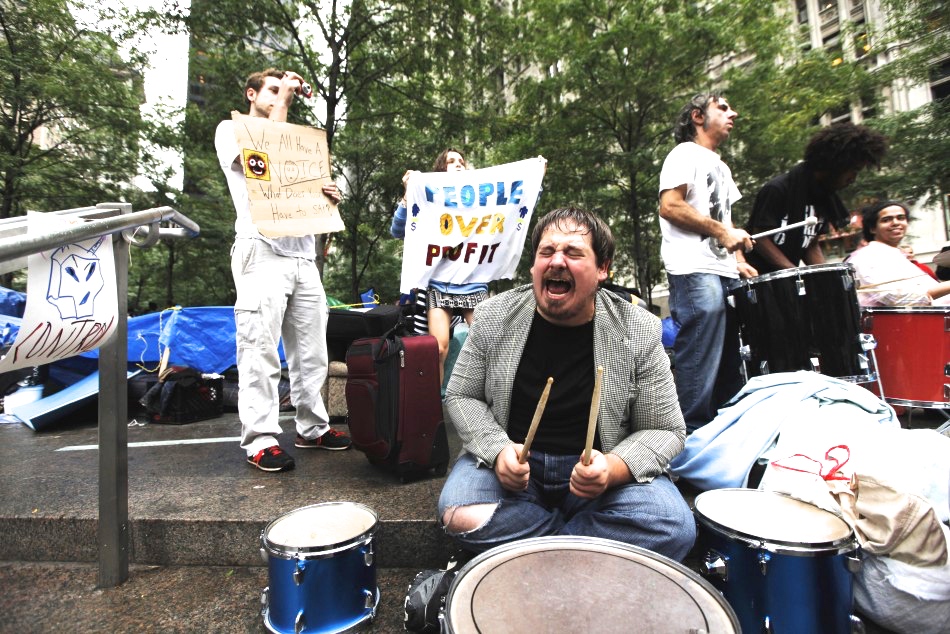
x: 69, y: 122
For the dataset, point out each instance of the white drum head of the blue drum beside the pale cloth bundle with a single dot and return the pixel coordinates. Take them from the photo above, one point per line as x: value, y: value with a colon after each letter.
x: 771, y: 516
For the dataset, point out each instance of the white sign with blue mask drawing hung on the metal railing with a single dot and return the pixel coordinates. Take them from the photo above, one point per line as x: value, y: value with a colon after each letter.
x: 71, y: 301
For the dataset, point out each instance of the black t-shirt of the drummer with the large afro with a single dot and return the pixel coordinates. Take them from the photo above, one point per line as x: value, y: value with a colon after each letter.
x: 786, y: 199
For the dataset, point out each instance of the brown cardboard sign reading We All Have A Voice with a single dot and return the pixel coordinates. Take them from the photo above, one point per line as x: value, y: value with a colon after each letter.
x: 286, y: 166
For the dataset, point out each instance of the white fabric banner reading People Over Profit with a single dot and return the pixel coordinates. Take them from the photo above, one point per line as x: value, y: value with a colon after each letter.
x: 469, y: 226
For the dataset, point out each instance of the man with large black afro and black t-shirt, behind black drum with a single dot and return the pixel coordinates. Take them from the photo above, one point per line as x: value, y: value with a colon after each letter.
x: 833, y: 158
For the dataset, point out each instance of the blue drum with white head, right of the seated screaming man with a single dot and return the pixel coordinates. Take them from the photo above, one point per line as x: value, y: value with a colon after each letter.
x: 783, y: 565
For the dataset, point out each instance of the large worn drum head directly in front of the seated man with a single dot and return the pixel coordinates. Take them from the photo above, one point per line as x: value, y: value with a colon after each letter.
x: 582, y: 584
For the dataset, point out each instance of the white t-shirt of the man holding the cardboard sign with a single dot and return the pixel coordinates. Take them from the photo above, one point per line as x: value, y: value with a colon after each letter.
x: 230, y: 160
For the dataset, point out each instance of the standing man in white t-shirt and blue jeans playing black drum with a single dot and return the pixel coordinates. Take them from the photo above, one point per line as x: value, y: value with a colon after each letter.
x: 702, y: 253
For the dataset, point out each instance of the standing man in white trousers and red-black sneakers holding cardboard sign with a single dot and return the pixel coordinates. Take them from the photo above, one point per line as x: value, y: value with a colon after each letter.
x: 279, y: 291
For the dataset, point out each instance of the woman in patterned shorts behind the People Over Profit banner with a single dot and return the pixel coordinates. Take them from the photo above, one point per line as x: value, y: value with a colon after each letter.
x: 444, y: 302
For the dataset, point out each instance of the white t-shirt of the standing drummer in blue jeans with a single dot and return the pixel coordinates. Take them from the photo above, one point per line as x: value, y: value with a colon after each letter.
x: 711, y: 191
